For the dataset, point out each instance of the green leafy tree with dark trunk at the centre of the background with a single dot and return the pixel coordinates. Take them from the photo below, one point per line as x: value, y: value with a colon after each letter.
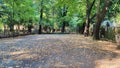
x: 66, y: 12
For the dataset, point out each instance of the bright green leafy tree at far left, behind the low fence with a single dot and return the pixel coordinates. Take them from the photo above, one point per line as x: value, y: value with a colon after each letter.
x: 18, y: 14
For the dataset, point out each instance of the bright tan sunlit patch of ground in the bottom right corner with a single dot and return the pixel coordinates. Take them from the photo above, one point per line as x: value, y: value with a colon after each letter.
x: 113, y: 62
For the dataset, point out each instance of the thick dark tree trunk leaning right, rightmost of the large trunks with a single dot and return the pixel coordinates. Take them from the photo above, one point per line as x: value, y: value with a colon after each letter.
x: 99, y: 17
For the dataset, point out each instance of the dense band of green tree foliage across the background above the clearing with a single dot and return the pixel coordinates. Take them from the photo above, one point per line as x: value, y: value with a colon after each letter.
x: 50, y: 15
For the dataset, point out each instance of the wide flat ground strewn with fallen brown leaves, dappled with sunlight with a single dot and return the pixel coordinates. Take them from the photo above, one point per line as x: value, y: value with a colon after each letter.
x: 58, y: 51
